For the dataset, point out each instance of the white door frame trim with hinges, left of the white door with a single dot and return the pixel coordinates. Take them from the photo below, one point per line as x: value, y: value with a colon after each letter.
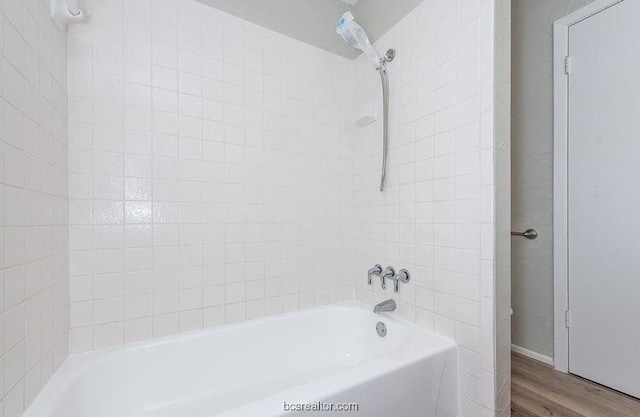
x: 560, y: 176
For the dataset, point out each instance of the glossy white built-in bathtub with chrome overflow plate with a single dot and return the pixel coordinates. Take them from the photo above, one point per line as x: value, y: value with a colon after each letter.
x: 331, y: 354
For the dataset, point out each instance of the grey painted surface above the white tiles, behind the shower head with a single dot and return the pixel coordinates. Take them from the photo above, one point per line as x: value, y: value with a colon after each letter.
x: 314, y: 21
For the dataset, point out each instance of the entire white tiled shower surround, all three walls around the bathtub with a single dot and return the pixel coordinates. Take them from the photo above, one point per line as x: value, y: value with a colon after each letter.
x: 215, y: 174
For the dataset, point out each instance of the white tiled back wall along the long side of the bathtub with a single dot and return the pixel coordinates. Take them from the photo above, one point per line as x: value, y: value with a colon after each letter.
x: 209, y: 172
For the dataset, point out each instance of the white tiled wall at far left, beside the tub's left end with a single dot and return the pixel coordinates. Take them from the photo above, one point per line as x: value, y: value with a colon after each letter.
x: 33, y: 202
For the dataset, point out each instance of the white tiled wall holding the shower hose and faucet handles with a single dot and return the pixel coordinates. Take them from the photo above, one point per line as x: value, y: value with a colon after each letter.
x: 436, y: 217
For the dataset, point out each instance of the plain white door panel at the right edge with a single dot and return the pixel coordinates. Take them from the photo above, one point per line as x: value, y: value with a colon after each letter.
x: 604, y: 197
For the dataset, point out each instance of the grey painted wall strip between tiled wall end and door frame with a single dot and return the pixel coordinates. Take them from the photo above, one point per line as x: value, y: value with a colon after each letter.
x: 532, y: 175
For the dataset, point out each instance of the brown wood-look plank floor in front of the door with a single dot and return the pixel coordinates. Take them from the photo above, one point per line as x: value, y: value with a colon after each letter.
x: 538, y: 390
